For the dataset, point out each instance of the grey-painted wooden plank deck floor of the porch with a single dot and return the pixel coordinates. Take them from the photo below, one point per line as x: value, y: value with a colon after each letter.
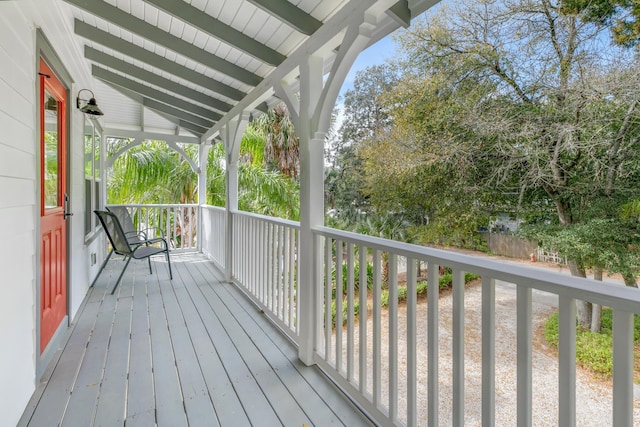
x: 187, y: 352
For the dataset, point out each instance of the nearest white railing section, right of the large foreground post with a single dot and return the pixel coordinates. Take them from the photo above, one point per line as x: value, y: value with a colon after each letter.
x: 377, y: 357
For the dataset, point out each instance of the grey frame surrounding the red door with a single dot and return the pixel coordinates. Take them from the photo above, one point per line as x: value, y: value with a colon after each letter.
x: 45, y: 51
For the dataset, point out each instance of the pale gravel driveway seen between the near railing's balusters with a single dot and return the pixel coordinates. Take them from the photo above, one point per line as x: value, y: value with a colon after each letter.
x: 593, y: 396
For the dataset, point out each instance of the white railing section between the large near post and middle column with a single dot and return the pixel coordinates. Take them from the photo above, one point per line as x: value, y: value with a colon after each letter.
x: 265, y: 265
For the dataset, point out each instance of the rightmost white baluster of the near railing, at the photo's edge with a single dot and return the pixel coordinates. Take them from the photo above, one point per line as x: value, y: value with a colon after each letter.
x: 622, y: 368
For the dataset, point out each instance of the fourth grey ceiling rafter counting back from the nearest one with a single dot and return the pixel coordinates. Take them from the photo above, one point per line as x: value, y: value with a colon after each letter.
x: 161, y: 63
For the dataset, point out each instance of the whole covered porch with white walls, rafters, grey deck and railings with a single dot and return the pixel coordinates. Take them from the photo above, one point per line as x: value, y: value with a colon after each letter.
x: 245, y: 333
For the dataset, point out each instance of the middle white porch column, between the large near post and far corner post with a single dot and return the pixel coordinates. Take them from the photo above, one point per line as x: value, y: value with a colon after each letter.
x: 231, y: 138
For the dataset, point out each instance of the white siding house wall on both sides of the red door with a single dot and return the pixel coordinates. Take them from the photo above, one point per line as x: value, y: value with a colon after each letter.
x: 18, y: 189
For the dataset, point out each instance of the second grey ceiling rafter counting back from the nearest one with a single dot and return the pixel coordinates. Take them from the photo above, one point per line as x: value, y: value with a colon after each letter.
x: 215, y: 28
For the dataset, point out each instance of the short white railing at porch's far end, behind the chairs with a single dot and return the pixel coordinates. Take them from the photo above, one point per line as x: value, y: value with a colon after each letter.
x: 178, y: 222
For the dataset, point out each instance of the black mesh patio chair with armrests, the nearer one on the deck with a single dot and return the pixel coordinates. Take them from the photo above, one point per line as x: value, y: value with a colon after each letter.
x: 122, y: 244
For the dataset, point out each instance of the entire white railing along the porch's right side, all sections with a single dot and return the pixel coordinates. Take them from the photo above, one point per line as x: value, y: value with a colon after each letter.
x: 389, y: 357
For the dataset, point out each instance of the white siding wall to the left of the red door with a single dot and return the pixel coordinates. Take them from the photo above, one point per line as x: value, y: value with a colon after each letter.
x: 17, y: 211
